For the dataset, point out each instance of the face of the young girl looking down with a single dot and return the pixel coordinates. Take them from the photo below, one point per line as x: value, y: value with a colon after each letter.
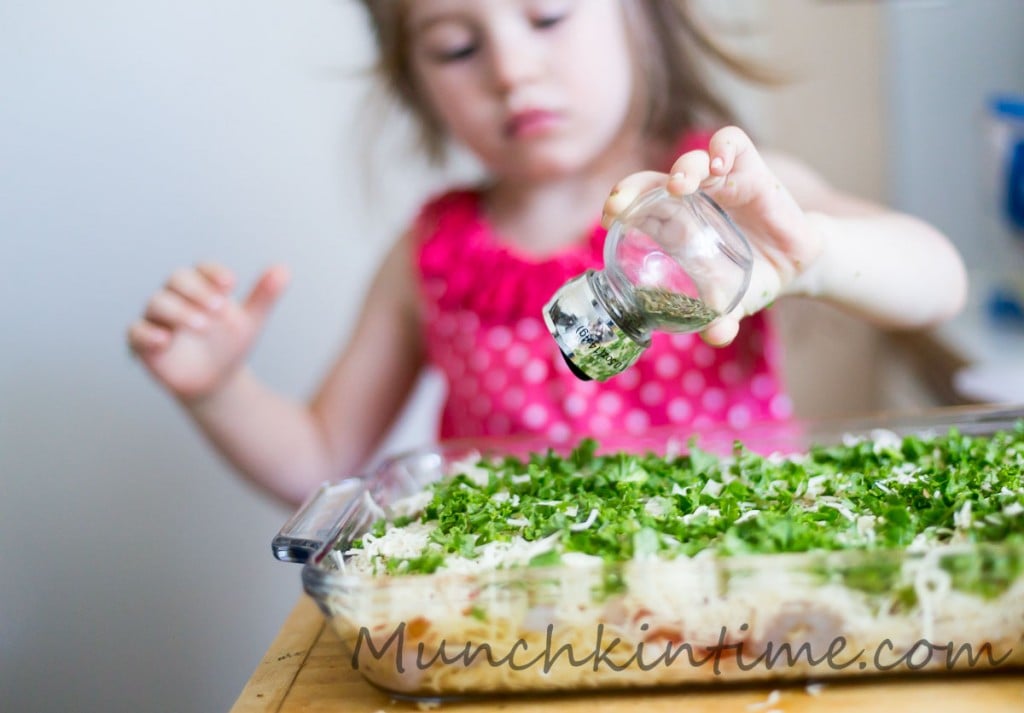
x: 536, y: 89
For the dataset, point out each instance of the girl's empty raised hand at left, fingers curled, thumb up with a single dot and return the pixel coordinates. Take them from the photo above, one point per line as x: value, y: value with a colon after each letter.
x: 194, y: 337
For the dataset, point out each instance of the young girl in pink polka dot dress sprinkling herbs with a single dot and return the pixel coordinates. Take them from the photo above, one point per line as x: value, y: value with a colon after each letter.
x: 561, y: 101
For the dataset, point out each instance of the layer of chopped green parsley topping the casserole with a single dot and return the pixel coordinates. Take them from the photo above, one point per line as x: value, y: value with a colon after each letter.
x: 885, y: 494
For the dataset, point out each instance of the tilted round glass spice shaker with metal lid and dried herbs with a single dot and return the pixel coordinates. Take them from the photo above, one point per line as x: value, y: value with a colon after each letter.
x: 672, y: 264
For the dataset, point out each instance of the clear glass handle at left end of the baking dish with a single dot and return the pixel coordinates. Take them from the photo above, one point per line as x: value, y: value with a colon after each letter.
x: 318, y: 521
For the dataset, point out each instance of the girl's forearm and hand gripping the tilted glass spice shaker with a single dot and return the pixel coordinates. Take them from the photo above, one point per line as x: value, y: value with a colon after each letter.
x: 812, y: 240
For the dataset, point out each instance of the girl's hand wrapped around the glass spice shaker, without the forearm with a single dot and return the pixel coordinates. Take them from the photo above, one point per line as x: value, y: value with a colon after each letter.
x: 734, y: 174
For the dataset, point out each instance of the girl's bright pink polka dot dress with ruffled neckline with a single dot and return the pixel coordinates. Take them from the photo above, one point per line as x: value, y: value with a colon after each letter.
x: 485, y: 332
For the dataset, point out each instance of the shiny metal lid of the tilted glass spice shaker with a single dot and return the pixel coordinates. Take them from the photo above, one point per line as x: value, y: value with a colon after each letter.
x: 594, y: 347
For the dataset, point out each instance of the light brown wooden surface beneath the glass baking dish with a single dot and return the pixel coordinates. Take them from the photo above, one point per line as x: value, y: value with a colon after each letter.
x: 307, y: 670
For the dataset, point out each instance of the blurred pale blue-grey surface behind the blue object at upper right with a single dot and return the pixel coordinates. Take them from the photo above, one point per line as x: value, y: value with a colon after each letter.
x: 946, y: 60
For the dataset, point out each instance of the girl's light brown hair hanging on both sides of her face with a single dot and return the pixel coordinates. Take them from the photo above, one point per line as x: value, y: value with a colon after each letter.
x: 668, y: 45
